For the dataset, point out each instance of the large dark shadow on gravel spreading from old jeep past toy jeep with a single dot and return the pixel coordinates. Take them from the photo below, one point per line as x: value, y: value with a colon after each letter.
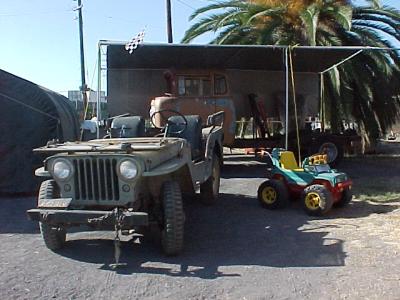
x: 237, y: 231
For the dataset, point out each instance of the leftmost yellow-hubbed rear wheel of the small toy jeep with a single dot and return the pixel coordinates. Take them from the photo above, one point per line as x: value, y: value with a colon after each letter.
x: 273, y: 194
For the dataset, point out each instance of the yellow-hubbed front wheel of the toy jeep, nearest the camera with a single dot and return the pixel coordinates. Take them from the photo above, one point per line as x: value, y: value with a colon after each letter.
x: 317, y: 200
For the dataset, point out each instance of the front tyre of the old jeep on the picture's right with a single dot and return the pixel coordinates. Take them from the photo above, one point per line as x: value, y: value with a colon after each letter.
x: 173, y: 218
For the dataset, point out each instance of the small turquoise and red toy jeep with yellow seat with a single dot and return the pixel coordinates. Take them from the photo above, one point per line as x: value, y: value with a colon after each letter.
x: 318, y: 186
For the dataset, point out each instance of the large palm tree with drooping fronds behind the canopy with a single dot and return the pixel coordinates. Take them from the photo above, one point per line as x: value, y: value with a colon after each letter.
x: 366, y: 89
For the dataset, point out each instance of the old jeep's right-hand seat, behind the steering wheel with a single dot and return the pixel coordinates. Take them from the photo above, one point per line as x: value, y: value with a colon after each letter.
x: 192, y: 133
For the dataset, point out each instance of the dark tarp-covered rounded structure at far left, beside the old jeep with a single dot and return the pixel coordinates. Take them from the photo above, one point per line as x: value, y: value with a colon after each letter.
x: 30, y: 116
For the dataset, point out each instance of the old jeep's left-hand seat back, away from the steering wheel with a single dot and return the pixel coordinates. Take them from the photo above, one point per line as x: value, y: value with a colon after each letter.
x: 128, y: 127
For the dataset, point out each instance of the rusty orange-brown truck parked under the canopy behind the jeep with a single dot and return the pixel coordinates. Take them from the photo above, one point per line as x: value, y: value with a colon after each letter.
x: 206, y: 92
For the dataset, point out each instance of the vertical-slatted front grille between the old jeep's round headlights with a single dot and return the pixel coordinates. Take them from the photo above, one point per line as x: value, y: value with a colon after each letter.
x: 96, y: 179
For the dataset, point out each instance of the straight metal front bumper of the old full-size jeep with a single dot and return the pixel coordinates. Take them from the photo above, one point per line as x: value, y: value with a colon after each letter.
x: 123, y: 218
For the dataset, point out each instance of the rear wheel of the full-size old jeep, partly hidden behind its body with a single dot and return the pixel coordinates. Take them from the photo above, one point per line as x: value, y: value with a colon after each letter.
x: 209, y: 190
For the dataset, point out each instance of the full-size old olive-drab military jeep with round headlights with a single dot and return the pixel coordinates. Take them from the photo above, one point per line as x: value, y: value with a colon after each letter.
x: 129, y: 181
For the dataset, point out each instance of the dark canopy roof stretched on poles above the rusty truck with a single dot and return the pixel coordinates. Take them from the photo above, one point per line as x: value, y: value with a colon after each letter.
x: 251, y: 57
